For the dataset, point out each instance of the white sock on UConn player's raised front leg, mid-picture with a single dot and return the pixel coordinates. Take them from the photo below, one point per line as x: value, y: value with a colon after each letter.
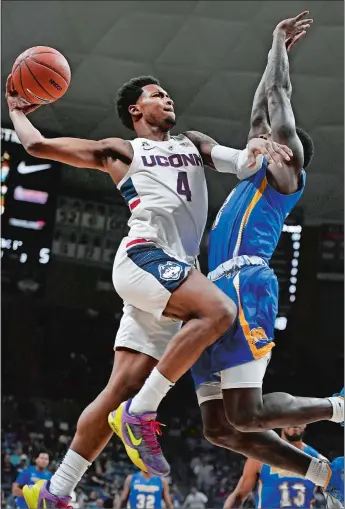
x: 151, y: 394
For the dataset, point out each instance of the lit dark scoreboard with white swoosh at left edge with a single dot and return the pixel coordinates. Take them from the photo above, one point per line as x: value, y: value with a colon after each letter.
x: 29, y: 189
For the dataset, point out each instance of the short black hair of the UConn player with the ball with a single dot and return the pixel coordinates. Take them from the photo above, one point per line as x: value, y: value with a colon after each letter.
x: 128, y: 94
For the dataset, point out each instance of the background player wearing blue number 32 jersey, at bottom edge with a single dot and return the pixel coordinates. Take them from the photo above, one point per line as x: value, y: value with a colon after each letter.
x: 145, y: 491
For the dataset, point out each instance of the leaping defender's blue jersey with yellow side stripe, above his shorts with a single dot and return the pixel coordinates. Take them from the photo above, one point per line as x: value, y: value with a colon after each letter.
x: 251, y: 219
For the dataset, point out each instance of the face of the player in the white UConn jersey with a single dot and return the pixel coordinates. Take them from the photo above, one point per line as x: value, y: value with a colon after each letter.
x: 156, y: 107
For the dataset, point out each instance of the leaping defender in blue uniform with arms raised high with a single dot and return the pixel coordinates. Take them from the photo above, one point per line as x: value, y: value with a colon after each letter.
x: 229, y: 374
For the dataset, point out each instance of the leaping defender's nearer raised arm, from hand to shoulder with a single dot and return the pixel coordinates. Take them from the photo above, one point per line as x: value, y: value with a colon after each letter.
x: 278, y: 87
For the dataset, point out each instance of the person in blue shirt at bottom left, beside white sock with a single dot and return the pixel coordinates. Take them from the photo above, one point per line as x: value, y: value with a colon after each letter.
x: 30, y: 476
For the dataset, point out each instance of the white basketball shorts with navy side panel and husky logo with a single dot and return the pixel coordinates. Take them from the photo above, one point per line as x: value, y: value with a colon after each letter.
x: 145, y: 276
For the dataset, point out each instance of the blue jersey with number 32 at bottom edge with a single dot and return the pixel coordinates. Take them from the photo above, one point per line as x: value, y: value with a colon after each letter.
x: 145, y: 493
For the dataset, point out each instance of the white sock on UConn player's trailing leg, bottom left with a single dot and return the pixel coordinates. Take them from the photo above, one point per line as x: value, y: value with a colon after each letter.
x: 69, y: 473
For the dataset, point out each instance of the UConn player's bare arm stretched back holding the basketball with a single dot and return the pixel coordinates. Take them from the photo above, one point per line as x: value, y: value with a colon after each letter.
x: 112, y: 155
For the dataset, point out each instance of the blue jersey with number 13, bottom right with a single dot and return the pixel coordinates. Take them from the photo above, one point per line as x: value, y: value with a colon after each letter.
x: 280, y: 488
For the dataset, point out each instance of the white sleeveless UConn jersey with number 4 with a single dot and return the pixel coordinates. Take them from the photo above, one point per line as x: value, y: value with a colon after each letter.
x: 165, y: 189
